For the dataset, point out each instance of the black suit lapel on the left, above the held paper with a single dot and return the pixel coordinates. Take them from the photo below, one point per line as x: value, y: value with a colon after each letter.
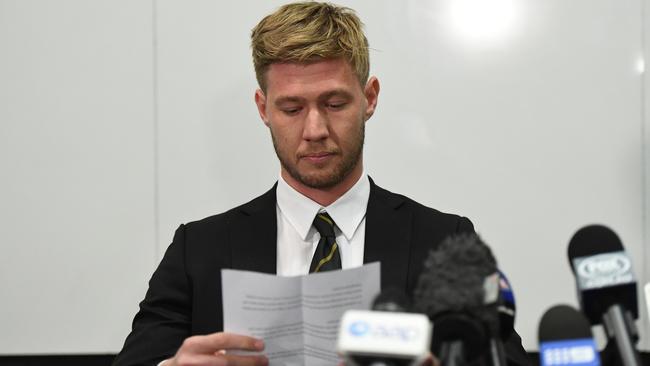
x: 253, y: 234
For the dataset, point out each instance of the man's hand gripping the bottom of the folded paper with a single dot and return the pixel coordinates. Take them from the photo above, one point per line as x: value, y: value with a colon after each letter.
x: 211, y: 350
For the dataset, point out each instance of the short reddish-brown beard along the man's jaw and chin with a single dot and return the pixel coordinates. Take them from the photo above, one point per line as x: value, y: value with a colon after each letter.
x: 321, y: 179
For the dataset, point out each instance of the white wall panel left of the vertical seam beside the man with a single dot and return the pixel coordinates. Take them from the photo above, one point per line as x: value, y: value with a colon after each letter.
x: 76, y: 163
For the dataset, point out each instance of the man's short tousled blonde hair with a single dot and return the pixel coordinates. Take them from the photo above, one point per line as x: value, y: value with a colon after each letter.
x: 307, y: 31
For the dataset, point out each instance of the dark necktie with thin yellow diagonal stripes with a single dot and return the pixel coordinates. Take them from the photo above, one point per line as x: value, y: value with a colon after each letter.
x: 327, y: 256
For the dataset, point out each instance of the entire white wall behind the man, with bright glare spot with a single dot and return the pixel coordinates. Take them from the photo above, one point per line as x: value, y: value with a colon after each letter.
x: 121, y: 119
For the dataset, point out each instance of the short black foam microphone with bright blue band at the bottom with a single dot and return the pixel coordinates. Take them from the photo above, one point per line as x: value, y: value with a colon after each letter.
x: 565, y: 338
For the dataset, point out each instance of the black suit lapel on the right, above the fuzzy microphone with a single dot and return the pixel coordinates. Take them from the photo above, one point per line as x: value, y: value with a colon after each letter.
x: 388, y: 236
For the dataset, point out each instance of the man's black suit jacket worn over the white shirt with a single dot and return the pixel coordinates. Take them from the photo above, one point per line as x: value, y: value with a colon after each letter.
x: 184, y: 296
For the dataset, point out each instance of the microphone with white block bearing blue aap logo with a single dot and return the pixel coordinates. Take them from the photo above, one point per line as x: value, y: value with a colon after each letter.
x: 387, y: 335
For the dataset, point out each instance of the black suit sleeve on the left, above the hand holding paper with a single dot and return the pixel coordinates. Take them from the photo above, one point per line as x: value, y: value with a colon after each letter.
x: 163, y: 321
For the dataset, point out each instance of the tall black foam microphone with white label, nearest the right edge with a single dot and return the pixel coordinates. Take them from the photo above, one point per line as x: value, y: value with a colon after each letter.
x: 606, y: 287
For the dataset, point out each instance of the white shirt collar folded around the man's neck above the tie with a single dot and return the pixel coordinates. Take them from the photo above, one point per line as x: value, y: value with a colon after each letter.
x: 347, y: 211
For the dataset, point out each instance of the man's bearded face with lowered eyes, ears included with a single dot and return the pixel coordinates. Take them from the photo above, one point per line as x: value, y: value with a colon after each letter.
x: 316, y: 113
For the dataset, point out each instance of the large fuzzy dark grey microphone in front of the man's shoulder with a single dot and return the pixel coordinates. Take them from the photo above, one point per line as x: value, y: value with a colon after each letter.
x: 459, y: 290
